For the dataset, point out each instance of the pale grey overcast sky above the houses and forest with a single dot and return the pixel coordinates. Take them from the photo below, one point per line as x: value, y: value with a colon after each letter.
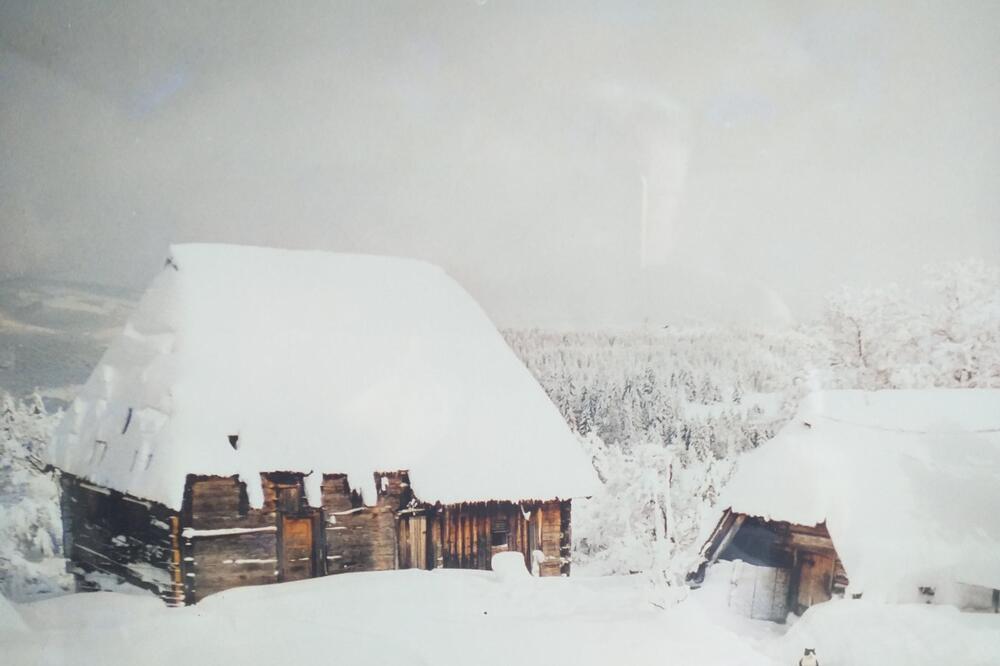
x: 572, y: 164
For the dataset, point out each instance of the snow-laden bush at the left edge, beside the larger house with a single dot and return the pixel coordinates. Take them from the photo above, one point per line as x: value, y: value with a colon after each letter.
x: 30, y: 524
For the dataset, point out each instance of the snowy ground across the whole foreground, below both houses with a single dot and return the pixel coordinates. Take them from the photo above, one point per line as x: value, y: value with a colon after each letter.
x: 470, y: 617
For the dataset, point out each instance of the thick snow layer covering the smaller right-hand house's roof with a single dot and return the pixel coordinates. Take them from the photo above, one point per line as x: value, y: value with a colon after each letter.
x: 908, y: 483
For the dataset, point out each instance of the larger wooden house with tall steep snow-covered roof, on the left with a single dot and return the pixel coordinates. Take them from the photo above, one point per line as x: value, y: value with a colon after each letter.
x: 272, y: 415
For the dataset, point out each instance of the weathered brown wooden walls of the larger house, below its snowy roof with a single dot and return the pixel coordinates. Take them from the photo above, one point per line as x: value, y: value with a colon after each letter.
x: 217, y: 541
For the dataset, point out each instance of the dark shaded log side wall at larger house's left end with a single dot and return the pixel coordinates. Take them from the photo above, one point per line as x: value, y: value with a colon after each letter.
x: 113, y: 533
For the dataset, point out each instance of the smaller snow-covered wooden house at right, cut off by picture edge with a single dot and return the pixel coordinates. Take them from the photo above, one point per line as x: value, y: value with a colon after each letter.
x: 892, y: 495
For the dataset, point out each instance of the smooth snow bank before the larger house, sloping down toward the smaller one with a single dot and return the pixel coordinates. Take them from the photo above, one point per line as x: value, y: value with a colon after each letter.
x: 439, y: 618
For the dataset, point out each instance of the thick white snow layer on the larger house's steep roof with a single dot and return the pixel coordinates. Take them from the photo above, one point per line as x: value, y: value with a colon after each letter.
x: 318, y: 362
